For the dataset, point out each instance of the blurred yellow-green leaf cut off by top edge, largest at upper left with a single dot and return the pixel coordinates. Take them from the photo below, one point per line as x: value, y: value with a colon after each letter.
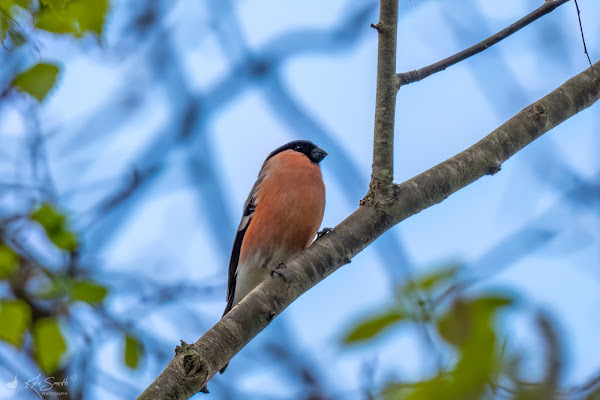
x: 78, y: 17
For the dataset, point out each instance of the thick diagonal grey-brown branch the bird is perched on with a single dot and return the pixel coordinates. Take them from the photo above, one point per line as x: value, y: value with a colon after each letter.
x: 194, y: 365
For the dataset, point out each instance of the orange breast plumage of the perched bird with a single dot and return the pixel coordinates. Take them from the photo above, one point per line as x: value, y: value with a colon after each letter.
x: 289, y: 209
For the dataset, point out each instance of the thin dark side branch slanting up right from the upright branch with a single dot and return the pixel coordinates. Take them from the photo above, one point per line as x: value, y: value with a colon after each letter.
x: 415, y: 76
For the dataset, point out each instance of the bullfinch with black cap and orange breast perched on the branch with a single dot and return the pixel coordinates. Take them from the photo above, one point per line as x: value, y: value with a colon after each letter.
x: 281, y: 216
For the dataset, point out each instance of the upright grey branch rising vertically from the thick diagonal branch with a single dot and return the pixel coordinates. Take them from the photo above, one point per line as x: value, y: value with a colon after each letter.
x: 385, y: 102
